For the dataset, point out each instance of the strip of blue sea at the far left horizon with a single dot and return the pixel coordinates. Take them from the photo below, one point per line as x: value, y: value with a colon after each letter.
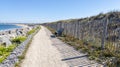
x: 8, y: 26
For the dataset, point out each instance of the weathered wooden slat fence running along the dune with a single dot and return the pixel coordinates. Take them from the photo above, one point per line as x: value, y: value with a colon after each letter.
x: 105, y: 32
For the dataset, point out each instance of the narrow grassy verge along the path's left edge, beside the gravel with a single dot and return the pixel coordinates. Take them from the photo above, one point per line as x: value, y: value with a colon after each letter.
x: 34, y: 31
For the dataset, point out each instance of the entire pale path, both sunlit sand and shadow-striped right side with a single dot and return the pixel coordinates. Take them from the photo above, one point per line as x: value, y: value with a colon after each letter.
x: 51, y: 52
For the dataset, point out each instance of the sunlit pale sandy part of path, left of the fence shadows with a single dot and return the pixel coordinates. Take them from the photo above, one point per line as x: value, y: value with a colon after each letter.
x: 41, y: 53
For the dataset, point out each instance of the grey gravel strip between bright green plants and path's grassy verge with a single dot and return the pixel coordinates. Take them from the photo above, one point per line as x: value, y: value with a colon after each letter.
x: 13, y: 57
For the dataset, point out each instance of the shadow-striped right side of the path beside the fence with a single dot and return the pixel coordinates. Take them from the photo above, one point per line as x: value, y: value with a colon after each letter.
x: 72, y: 57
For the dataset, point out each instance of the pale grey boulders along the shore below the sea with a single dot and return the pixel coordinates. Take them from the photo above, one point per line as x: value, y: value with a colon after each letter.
x: 7, y: 35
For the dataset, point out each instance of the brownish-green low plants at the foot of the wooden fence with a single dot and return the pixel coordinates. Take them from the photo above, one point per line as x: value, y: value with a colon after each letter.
x: 108, y: 55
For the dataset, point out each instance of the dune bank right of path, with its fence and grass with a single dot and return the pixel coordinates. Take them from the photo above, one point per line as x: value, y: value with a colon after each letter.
x: 98, y: 36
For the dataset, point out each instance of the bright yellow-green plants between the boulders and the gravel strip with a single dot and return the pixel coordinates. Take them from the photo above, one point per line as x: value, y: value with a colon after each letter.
x: 5, y: 51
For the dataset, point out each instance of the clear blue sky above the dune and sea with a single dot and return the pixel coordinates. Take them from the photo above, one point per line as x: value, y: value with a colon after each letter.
x: 40, y: 11
